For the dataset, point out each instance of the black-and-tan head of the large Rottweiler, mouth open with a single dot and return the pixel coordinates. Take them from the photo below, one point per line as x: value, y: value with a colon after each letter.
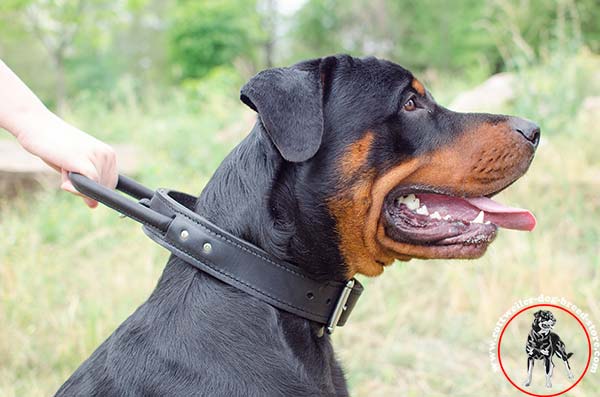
x: 375, y: 170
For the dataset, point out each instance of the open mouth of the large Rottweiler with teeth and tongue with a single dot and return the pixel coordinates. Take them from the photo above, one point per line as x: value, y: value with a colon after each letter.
x: 424, y: 217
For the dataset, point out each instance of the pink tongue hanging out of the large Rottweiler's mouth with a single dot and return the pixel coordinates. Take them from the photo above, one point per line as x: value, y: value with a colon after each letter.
x: 503, y: 216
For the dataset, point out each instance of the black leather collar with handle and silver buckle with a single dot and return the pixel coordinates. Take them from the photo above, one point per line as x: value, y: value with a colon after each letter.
x: 168, y: 219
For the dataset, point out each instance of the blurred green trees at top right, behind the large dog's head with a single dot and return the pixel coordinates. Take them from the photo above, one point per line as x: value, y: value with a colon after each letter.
x: 470, y: 38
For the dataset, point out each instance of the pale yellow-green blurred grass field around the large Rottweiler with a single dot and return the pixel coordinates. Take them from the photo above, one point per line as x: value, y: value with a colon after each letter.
x: 69, y: 276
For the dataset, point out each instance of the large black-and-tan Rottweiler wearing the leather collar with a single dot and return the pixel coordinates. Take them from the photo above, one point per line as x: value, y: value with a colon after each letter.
x: 344, y: 152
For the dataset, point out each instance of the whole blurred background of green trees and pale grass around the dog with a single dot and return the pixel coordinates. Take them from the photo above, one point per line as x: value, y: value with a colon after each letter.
x: 162, y: 78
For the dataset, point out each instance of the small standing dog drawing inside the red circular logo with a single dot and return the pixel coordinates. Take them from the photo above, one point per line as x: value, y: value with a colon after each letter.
x: 543, y: 344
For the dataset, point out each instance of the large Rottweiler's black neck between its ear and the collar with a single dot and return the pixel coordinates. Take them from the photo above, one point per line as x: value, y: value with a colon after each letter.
x: 254, y: 195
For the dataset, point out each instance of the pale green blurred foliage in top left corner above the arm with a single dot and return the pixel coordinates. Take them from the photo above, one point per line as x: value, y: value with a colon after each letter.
x: 84, y: 45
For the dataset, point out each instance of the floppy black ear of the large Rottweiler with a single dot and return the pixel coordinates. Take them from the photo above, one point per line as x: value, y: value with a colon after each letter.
x: 289, y: 102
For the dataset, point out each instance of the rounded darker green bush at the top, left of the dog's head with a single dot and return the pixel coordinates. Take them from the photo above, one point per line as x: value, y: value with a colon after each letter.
x: 204, y: 35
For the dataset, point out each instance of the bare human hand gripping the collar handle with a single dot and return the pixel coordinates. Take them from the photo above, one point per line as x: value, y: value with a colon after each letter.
x: 66, y: 148
